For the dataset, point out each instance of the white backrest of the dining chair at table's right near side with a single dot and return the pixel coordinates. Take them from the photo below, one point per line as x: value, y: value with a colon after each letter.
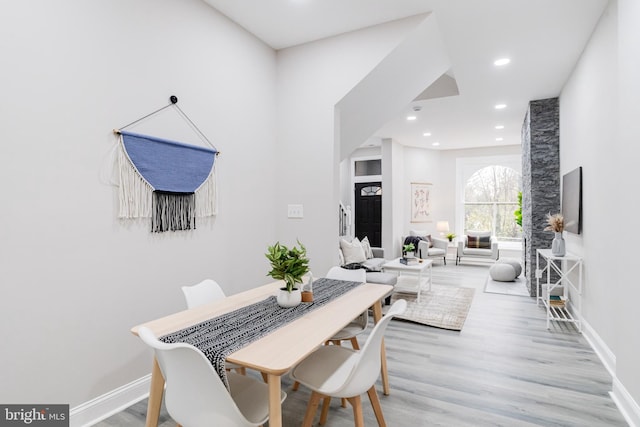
x: 366, y: 369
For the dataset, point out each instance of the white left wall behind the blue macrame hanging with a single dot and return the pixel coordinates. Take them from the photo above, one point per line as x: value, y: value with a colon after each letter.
x: 74, y: 278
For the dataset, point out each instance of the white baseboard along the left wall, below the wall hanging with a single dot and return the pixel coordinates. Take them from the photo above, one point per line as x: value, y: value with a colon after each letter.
x: 96, y: 410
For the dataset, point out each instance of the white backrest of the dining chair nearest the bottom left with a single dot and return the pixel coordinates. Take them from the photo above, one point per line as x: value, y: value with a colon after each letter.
x: 194, y: 395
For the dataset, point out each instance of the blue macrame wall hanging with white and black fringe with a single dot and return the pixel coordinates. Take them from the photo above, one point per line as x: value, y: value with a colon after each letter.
x: 168, y: 181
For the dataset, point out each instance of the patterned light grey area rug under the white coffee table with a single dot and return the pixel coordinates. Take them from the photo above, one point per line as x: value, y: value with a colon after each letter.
x: 444, y: 307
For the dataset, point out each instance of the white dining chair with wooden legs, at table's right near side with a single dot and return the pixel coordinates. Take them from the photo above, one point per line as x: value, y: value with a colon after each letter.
x: 335, y: 371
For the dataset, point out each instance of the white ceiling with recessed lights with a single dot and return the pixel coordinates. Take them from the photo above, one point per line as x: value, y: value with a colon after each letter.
x: 543, y: 39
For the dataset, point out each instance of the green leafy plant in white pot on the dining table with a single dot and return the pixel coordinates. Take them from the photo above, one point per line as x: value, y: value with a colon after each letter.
x: 288, y: 264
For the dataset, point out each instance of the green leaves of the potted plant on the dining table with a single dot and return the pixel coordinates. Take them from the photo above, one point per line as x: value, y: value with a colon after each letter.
x: 288, y: 264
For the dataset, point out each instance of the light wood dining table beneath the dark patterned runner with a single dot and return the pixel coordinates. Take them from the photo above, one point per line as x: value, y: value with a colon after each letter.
x: 276, y: 353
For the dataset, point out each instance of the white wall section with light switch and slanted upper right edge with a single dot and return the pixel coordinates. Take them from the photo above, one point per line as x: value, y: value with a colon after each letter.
x: 312, y: 79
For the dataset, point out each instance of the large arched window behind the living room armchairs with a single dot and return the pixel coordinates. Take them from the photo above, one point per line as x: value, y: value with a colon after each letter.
x: 490, y: 198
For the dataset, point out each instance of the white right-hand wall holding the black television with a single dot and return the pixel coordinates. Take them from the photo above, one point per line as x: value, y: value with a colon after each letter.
x: 599, y: 131
